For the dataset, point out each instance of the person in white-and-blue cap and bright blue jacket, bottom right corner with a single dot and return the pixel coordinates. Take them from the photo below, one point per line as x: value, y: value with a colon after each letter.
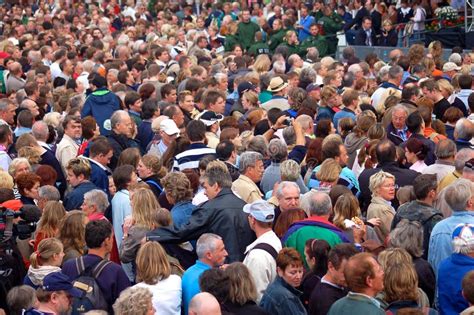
x: 453, y: 269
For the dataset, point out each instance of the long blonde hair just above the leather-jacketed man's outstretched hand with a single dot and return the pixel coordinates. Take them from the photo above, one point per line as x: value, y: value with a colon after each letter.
x: 144, y: 207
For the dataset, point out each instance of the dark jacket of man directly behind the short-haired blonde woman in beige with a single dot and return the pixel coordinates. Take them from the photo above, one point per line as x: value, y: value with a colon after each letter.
x: 403, y: 177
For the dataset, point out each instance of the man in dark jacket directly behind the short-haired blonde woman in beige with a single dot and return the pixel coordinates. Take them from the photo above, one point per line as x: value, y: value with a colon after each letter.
x: 386, y: 157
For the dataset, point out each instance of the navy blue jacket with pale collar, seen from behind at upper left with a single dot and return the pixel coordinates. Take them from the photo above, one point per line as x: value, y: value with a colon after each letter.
x: 101, y: 104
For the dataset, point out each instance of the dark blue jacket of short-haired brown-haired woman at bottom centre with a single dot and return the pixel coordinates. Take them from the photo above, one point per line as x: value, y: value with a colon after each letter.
x: 280, y: 298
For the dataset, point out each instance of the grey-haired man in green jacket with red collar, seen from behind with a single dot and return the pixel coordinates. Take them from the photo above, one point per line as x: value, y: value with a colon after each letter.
x: 318, y: 207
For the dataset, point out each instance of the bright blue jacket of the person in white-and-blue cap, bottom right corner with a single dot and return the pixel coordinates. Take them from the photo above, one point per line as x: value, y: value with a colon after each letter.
x: 450, y: 274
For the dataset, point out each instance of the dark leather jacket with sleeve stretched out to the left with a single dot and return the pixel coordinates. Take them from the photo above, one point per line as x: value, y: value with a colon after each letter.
x: 221, y: 215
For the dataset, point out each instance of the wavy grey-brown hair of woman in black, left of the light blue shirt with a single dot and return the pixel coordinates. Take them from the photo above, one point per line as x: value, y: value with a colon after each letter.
x: 409, y: 236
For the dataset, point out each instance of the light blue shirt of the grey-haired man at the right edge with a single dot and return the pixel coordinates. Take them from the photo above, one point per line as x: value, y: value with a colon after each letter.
x: 440, y: 240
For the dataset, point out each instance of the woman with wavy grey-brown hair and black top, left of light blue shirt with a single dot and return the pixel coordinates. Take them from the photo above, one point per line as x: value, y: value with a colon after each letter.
x: 408, y: 235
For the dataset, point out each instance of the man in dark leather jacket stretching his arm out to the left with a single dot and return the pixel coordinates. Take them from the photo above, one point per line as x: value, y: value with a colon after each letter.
x: 221, y: 215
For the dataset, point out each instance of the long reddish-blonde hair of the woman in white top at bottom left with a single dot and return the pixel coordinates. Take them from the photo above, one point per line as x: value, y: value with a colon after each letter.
x: 152, y: 263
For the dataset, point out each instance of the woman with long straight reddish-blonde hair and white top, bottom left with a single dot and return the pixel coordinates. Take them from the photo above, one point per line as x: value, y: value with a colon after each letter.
x: 154, y: 274
